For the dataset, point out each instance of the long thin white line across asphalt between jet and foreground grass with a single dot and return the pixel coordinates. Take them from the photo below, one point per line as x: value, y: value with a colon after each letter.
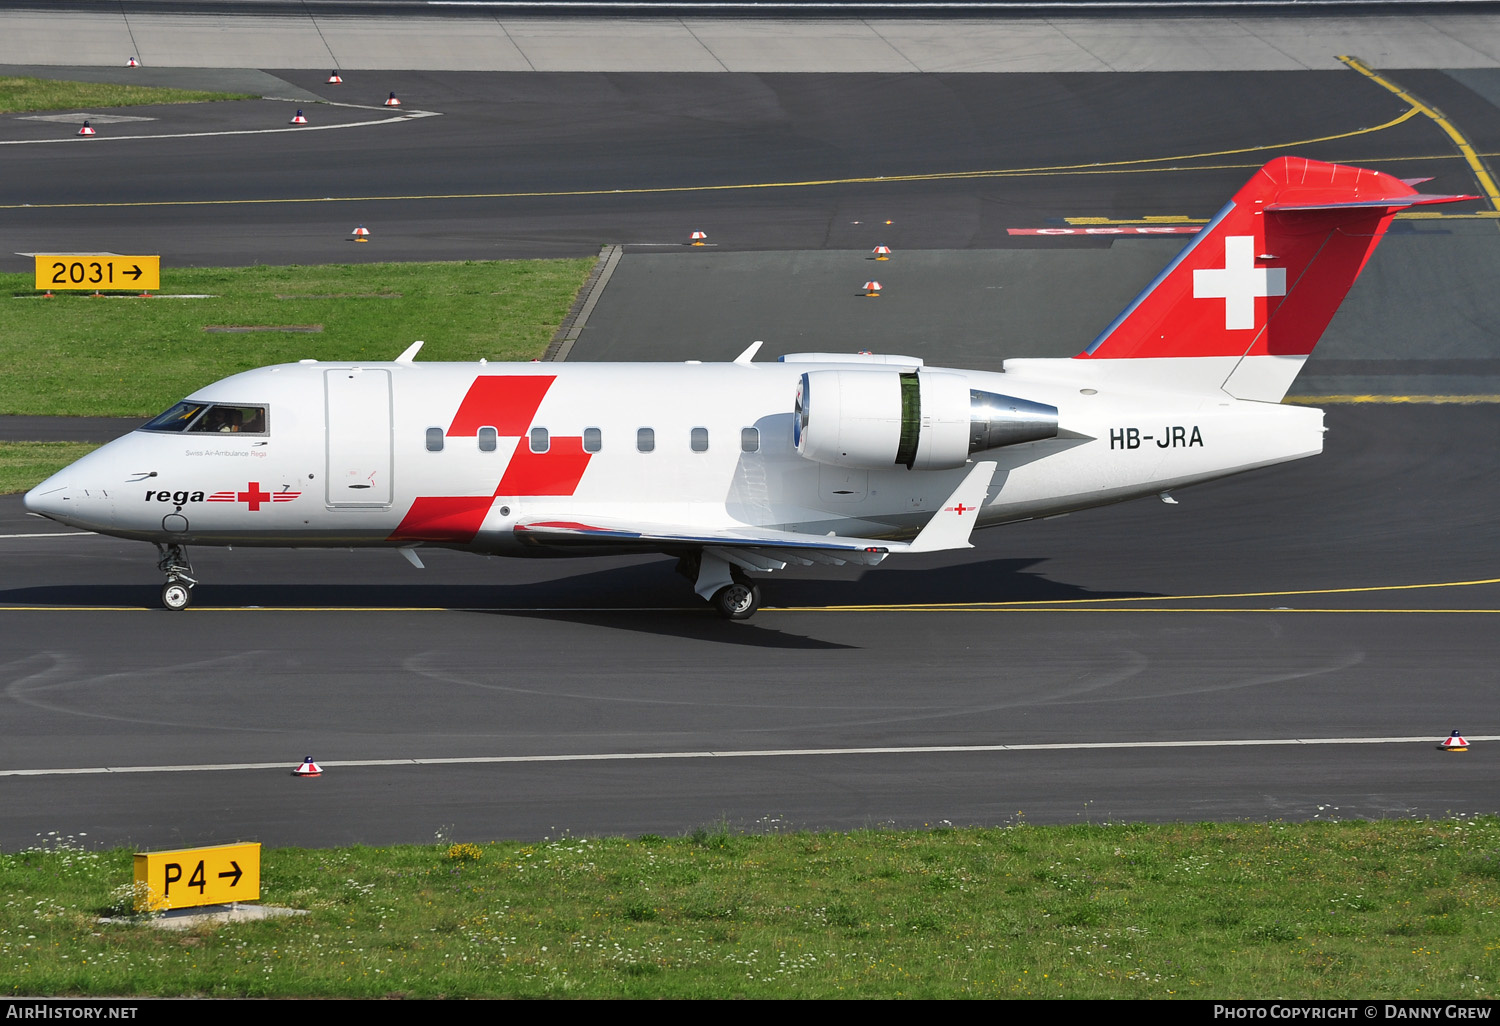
x: 751, y: 754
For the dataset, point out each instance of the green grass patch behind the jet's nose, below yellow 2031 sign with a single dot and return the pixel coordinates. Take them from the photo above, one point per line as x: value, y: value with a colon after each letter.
x: 76, y: 355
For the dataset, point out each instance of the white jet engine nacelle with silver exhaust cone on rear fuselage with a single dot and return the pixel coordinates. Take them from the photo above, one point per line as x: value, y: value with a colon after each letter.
x: 916, y: 419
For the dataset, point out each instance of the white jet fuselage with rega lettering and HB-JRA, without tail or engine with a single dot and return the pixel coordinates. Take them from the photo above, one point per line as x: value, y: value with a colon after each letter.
x: 460, y: 455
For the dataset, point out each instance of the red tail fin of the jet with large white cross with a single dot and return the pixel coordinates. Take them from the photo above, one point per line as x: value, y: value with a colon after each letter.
x: 1243, y: 307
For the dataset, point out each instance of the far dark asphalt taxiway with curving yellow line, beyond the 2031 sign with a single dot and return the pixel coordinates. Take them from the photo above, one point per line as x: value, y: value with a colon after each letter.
x: 487, y: 166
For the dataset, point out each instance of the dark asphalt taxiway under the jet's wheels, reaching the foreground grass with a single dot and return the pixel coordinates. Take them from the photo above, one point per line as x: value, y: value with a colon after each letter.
x: 1340, y: 608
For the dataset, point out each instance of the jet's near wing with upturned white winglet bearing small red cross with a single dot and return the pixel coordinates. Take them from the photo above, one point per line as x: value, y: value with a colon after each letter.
x: 772, y: 550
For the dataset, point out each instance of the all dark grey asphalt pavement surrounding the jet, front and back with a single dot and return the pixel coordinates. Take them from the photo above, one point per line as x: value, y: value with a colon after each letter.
x: 1340, y: 608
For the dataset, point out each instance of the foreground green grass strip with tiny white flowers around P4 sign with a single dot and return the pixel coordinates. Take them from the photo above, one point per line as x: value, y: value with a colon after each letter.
x: 1370, y: 910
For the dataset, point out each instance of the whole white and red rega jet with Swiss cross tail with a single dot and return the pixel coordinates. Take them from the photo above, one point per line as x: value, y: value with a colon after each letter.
x: 743, y: 469
